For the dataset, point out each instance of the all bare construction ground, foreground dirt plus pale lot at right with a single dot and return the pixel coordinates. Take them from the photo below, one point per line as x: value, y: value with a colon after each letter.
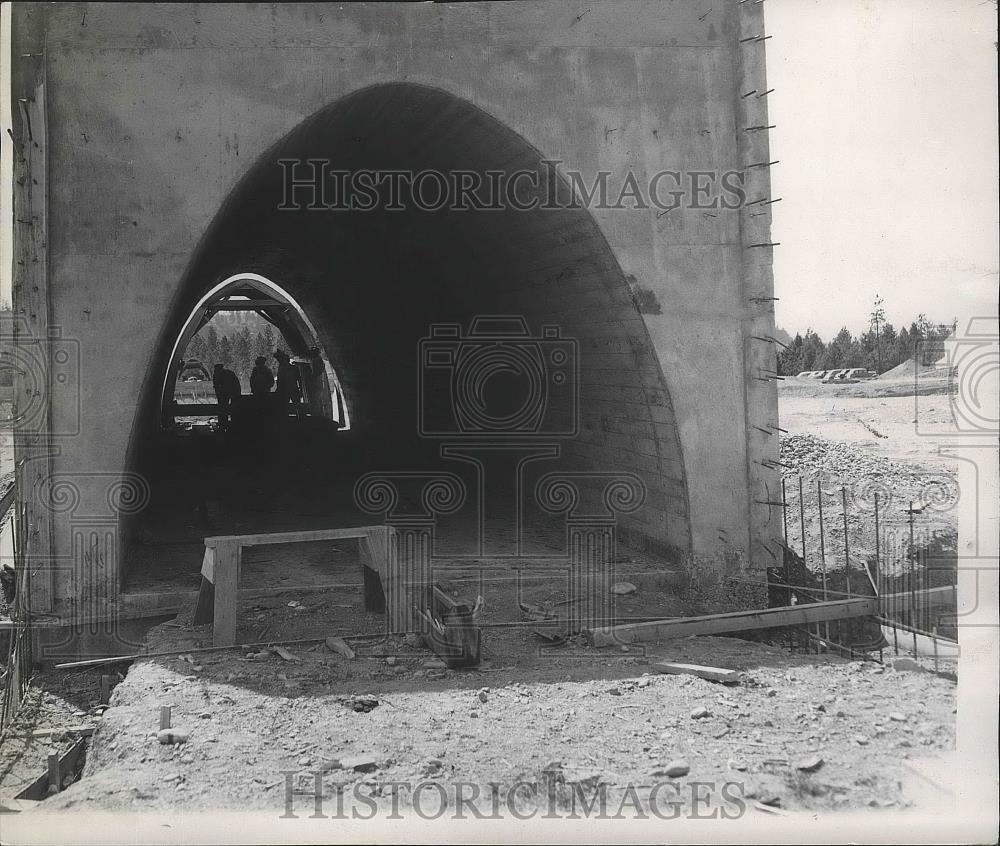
x: 798, y: 732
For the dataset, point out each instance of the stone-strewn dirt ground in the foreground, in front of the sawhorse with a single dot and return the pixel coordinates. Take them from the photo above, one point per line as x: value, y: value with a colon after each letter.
x: 572, y: 716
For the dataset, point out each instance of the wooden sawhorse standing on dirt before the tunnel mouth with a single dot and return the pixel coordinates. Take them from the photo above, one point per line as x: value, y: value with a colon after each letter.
x: 220, y: 572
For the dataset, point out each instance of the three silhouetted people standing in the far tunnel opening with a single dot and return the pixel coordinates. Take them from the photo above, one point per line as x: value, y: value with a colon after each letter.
x: 267, y: 406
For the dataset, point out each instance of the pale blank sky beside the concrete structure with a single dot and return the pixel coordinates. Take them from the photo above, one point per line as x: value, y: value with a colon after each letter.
x: 886, y: 136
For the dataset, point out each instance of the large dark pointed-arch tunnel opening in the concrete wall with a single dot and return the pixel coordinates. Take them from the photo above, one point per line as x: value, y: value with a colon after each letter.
x: 497, y: 350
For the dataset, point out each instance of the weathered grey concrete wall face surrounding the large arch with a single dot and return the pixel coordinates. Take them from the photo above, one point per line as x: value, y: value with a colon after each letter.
x: 156, y: 112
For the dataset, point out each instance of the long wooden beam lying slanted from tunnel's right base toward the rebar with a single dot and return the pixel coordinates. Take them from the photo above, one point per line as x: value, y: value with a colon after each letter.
x: 736, y: 621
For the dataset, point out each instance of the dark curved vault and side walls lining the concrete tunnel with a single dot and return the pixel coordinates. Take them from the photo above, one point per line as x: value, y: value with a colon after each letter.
x: 374, y: 282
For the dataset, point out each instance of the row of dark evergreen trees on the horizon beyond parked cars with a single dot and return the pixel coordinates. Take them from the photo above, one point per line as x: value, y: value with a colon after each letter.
x: 880, y: 348
